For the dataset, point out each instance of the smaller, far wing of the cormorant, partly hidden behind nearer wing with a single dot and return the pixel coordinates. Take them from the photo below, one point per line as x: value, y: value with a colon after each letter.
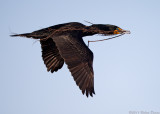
x: 50, y: 54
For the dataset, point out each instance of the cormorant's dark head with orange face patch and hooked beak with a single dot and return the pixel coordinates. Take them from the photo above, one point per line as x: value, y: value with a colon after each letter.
x: 109, y: 29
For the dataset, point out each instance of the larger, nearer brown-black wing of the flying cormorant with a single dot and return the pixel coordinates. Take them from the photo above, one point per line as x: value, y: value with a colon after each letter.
x: 79, y: 59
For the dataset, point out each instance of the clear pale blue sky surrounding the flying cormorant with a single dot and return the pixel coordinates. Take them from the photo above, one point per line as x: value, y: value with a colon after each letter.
x: 127, y: 69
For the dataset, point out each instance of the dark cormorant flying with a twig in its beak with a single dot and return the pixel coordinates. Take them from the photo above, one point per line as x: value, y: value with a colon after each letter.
x: 63, y: 43
